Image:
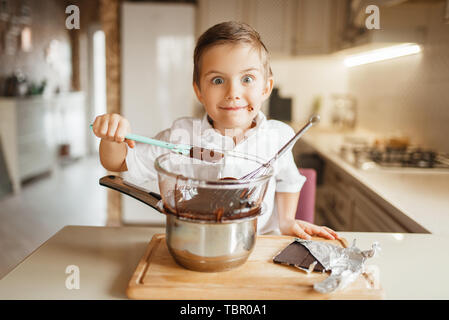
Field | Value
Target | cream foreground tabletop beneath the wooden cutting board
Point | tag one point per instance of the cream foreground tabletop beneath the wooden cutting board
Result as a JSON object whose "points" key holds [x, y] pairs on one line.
{"points": [[108, 256]]}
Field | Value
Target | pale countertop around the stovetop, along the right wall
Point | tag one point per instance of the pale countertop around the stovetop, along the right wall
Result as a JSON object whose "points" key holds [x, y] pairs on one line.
{"points": [[420, 194]]}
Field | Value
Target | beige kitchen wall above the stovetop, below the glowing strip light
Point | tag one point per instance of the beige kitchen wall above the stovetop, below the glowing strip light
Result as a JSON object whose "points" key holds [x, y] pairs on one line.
{"points": [[409, 95]]}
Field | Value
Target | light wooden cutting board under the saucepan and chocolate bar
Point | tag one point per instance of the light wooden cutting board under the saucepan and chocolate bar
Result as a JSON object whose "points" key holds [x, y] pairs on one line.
{"points": [[158, 276]]}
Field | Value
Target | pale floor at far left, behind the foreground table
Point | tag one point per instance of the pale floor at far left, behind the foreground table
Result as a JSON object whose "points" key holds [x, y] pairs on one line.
{"points": [[70, 195]]}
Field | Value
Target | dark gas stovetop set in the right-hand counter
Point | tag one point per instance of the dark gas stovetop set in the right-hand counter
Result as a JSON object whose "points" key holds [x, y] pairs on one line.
{"points": [[366, 157]]}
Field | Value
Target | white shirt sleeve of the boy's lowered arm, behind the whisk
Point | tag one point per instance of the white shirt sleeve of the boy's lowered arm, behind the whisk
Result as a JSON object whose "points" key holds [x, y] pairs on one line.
{"points": [[288, 178]]}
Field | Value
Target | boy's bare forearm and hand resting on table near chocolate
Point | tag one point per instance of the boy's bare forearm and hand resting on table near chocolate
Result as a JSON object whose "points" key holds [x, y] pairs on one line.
{"points": [[286, 204]]}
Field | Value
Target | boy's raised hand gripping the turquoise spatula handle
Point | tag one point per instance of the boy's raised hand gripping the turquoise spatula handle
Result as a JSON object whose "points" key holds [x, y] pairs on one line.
{"points": [[112, 127]]}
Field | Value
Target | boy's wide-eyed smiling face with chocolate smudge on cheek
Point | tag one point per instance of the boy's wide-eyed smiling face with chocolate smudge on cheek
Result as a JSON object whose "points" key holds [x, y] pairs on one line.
{"points": [[232, 85]]}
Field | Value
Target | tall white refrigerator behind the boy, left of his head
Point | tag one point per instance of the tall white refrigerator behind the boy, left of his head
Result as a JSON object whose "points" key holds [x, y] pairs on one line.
{"points": [[157, 43]]}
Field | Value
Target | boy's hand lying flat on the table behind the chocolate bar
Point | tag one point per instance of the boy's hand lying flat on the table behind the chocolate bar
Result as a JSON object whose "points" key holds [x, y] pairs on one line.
{"points": [[305, 230]]}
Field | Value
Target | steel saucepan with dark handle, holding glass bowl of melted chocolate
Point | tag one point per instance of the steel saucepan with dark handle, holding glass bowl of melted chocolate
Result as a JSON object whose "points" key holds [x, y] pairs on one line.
{"points": [[216, 236]]}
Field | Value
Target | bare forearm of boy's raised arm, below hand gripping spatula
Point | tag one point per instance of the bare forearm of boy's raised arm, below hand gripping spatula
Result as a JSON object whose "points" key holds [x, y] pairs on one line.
{"points": [[113, 155]]}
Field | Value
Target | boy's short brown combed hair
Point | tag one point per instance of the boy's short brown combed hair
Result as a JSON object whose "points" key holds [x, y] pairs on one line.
{"points": [[229, 32]]}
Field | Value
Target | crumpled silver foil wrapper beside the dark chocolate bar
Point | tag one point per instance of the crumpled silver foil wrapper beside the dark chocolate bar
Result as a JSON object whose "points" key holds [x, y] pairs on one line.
{"points": [[345, 264]]}
